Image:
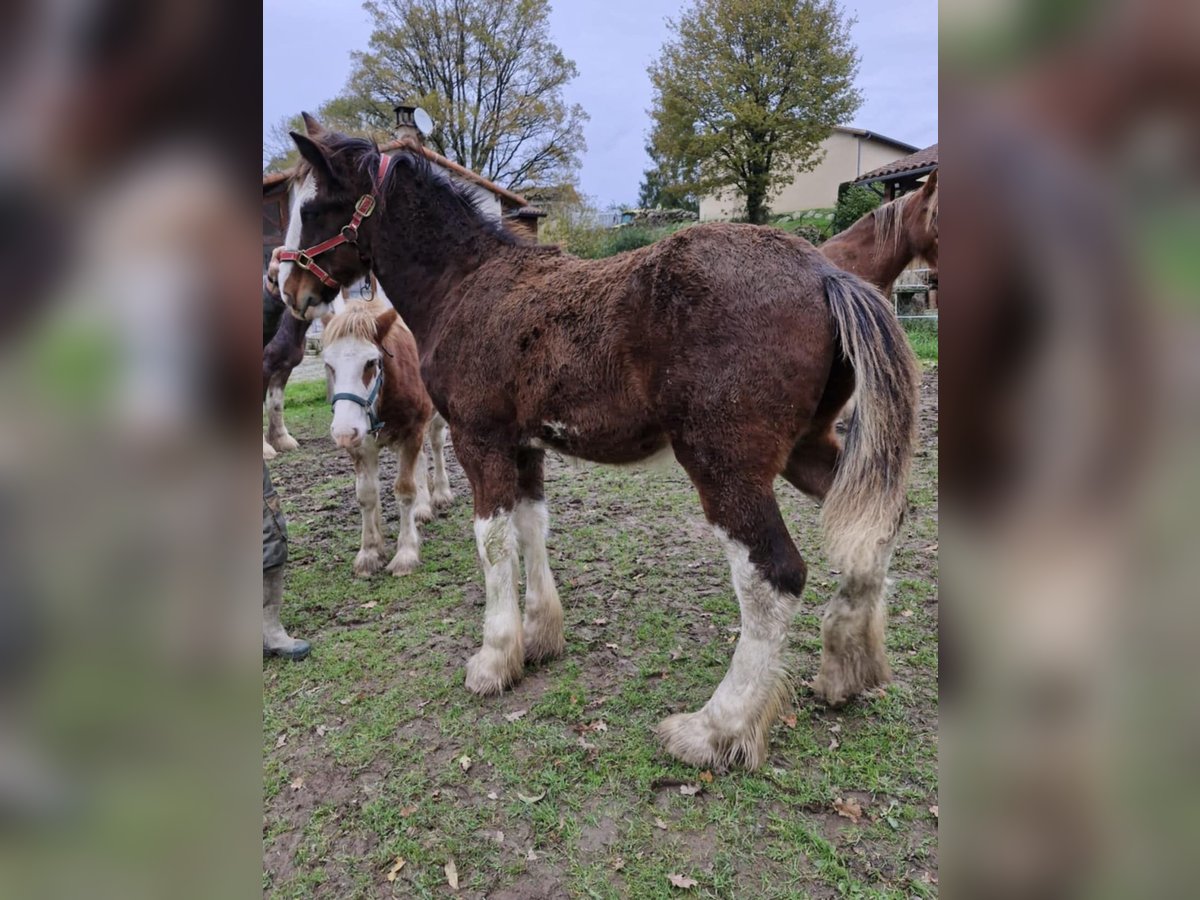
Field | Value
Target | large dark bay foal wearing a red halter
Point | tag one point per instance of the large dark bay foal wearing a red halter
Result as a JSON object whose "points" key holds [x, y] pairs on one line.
{"points": [[731, 346]]}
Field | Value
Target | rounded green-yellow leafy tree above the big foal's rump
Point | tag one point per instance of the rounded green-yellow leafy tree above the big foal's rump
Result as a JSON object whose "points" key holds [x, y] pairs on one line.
{"points": [[746, 92]]}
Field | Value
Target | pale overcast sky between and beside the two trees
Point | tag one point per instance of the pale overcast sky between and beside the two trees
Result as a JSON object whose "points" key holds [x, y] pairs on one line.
{"points": [[308, 44]]}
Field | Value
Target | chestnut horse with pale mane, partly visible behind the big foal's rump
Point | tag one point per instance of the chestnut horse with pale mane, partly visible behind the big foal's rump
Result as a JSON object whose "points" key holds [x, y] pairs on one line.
{"points": [[881, 244]]}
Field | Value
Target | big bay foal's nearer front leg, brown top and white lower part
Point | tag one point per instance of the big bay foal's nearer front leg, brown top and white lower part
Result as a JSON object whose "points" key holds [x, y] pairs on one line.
{"points": [[500, 663]]}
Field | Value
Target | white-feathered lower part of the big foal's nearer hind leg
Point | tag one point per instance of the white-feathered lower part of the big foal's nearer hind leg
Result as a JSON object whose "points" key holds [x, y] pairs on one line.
{"points": [[733, 728]]}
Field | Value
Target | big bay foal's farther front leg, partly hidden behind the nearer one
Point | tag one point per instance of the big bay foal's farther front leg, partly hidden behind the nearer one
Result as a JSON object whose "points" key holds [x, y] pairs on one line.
{"points": [[544, 611]]}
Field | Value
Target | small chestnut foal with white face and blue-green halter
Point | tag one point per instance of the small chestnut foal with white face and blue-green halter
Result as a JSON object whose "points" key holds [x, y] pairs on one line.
{"points": [[375, 386]]}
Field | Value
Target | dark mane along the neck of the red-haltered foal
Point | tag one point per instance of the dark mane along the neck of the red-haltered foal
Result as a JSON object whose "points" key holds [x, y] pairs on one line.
{"points": [[454, 200]]}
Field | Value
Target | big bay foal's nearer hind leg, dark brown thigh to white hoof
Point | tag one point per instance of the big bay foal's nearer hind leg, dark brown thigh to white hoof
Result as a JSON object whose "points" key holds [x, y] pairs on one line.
{"points": [[769, 577]]}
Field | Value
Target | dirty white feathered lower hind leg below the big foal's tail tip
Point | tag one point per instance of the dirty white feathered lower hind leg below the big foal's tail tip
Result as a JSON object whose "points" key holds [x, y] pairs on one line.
{"points": [[854, 657]]}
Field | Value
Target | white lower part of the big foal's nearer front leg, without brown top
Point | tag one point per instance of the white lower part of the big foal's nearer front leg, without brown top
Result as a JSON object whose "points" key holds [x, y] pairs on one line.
{"points": [[501, 661]]}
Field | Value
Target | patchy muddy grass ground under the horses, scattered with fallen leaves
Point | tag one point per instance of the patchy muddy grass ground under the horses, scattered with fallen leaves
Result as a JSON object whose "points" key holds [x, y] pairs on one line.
{"points": [[364, 743]]}
